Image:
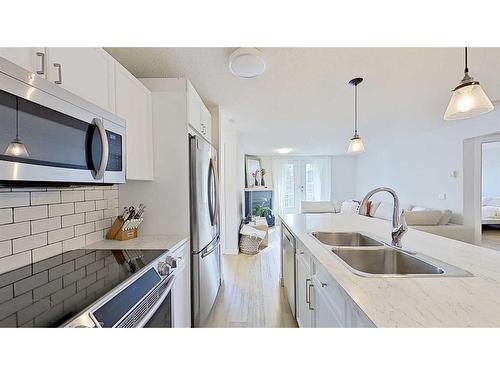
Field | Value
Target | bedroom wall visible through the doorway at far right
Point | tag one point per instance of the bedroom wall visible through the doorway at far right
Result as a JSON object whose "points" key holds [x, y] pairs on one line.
{"points": [[491, 170]]}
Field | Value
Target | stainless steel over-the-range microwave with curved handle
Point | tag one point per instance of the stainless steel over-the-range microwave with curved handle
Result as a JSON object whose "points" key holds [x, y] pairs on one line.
{"points": [[50, 136]]}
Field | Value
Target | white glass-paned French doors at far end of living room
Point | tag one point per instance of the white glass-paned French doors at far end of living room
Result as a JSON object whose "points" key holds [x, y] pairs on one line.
{"points": [[303, 181]]}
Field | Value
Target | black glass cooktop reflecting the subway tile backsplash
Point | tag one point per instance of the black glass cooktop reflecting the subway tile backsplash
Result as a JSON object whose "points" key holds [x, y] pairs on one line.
{"points": [[49, 292]]}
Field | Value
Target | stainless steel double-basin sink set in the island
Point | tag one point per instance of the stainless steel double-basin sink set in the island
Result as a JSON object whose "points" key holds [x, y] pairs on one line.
{"points": [[366, 256]]}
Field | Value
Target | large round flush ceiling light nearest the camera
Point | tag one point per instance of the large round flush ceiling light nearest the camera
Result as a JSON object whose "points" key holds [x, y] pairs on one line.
{"points": [[247, 63]]}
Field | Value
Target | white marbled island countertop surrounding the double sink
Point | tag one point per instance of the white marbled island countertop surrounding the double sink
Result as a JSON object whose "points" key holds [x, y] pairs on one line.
{"points": [[413, 301]]}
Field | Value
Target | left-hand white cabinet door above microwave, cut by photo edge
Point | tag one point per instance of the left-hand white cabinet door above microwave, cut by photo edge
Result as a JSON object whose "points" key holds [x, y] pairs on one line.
{"points": [[31, 59]]}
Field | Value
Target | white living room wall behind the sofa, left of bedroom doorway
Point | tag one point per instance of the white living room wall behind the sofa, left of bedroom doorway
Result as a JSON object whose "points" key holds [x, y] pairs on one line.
{"points": [[419, 167]]}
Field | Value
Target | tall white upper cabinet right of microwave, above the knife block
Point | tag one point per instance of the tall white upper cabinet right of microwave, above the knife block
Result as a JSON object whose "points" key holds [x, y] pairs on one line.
{"points": [[133, 103]]}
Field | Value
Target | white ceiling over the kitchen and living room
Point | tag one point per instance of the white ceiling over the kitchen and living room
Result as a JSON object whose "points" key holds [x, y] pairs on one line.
{"points": [[303, 100]]}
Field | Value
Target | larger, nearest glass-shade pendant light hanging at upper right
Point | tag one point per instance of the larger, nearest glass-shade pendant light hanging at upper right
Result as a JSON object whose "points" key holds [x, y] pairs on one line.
{"points": [[468, 99]]}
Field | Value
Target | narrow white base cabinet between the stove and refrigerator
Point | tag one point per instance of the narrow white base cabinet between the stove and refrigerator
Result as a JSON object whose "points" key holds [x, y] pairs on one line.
{"points": [[182, 292]]}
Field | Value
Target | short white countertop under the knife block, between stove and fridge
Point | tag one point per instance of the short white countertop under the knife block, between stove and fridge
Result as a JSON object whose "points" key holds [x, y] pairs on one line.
{"points": [[153, 242]]}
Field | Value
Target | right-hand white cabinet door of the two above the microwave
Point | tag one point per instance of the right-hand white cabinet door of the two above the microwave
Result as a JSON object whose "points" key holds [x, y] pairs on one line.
{"points": [[87, 72]]}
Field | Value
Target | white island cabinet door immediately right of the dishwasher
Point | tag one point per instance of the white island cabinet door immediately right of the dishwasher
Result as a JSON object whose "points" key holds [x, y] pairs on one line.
{"points": [[304, 310]]}
